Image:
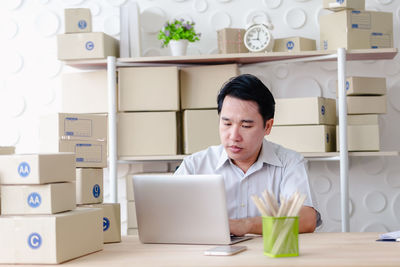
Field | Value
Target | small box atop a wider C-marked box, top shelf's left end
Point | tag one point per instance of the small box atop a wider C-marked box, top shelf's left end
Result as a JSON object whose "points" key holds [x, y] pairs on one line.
{"points": [[79, 36]]}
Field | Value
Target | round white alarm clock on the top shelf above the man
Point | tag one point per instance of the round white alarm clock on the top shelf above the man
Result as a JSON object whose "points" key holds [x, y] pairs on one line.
{"points": [[258, 38]]}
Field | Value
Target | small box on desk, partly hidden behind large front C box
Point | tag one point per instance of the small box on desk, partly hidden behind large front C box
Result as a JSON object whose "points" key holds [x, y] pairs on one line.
{"points": [[111, 221]]}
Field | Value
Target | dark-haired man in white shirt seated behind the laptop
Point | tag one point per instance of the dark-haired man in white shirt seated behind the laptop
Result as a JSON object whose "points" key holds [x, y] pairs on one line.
{"points": [[249, 163]]}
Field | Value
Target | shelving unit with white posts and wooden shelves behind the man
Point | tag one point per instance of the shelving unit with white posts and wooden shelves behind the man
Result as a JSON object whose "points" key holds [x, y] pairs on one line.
{"points": [[341, 56]]}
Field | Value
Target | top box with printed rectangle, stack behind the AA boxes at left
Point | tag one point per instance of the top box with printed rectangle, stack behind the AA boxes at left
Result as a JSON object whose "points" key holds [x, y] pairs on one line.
{"points": [[68, 126]]}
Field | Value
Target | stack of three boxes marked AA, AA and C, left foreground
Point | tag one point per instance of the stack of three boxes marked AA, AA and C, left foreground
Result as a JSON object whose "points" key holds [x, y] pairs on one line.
{"points": [[39, 222]]}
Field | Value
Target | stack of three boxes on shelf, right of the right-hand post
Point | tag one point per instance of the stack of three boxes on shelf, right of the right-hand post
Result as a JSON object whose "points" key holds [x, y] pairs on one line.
{"points": [[366, 98]]}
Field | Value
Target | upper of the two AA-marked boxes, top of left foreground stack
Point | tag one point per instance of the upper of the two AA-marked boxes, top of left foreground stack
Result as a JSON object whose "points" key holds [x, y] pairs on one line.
{"points": [[37, 168]]}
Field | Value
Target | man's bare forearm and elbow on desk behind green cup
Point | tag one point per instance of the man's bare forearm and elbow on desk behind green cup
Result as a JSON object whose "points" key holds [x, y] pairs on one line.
{"points": [[240, 227]]}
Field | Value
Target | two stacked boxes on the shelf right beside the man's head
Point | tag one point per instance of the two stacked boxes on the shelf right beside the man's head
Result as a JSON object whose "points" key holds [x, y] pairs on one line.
{"points": [[305, 124]]}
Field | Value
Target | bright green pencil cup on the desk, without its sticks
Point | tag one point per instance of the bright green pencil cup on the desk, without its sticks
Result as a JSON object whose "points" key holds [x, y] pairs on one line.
{"points": [[281, 236]]}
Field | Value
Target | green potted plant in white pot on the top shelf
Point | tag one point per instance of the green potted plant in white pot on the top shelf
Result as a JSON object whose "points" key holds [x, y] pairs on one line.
{"points": [[177, 34]]}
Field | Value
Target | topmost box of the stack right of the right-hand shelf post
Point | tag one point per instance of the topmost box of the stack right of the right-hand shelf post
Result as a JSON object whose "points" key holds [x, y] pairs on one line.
{"points": [[365, 86]]}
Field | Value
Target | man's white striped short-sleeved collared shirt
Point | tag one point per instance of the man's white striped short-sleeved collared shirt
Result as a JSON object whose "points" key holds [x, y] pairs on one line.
{"points": [[277, 169]]}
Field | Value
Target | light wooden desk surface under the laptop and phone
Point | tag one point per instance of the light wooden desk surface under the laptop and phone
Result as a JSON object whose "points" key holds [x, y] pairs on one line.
{"points": [[318, 249]]}
